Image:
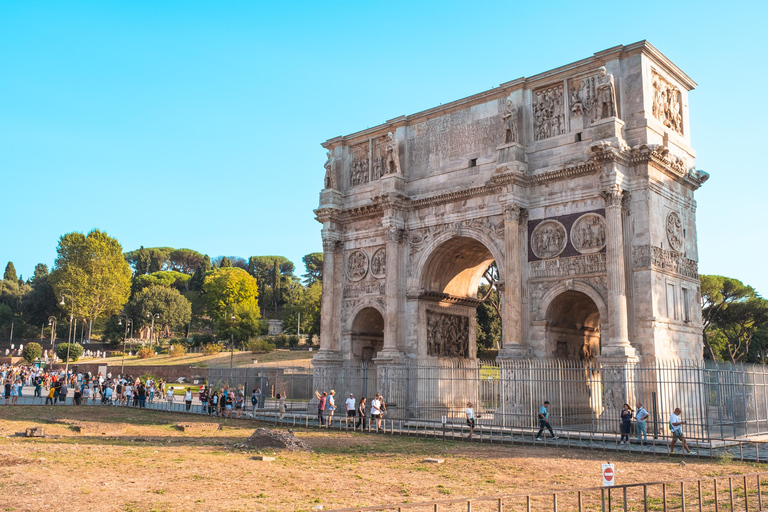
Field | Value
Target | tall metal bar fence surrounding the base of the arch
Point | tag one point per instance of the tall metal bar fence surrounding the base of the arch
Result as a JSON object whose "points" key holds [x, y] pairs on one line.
{"points": [[717, 400]]}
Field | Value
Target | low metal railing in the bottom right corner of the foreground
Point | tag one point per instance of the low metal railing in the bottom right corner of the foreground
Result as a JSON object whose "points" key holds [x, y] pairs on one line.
{"points": [[742, 492]]}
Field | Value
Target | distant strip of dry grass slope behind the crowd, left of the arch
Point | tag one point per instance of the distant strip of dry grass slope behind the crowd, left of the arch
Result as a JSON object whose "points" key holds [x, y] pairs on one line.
{"points": [[298, 357]]}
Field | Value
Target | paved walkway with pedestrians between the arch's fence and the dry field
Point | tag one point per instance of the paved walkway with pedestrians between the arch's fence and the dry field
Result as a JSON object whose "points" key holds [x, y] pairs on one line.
{"points": [[755, 451]]}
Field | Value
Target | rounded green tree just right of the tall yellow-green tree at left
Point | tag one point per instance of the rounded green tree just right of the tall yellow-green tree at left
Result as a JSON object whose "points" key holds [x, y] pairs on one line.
{"points": [[174, 309]]}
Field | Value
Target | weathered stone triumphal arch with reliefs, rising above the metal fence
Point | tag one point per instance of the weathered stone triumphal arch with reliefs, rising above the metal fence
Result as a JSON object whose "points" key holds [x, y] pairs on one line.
{"points": [[578, 183]]}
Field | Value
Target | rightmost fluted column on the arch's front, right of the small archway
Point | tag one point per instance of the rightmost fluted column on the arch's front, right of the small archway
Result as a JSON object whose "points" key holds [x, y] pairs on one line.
{"points": [[617, 344]]}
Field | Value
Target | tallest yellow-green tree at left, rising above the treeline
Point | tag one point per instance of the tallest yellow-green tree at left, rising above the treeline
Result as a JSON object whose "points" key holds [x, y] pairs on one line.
{"points": [[94, 269]]}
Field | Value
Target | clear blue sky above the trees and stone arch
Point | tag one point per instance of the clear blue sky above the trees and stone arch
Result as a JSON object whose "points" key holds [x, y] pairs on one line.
{"points": [[198, 124]]}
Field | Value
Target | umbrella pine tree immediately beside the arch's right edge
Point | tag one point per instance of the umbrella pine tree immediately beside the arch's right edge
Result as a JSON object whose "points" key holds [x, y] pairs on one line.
{"points": [[718, 293]]}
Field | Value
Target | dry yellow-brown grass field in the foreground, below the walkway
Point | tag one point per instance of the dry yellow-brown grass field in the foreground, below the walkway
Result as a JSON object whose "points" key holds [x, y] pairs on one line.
{"points": [[139, 462]]}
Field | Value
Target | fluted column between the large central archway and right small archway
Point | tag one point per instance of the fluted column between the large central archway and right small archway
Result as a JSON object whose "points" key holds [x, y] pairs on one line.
{"points": [[511, 291]]}
